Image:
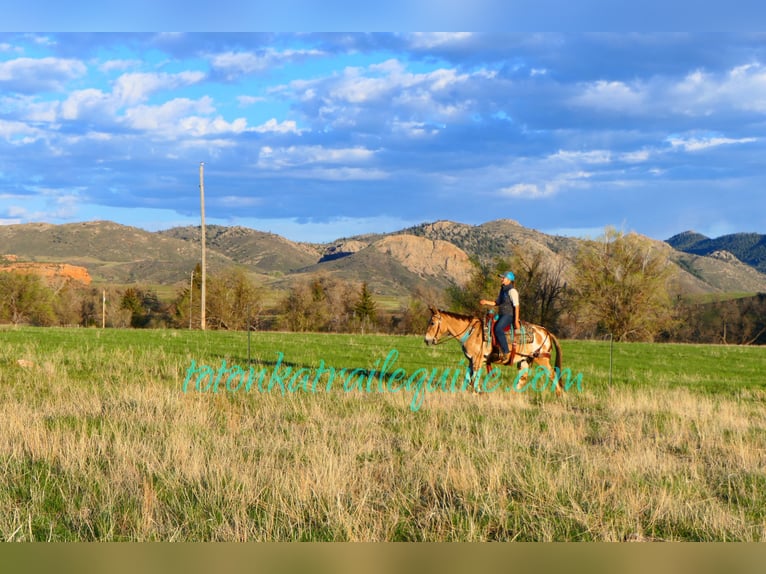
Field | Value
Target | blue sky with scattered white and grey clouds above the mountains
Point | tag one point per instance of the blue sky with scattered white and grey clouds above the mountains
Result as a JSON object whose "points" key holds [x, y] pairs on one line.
{"points": [[317, 136]]}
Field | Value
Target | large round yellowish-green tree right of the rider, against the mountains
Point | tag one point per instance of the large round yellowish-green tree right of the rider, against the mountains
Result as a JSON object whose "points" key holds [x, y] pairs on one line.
{"points": [[620, 286]]}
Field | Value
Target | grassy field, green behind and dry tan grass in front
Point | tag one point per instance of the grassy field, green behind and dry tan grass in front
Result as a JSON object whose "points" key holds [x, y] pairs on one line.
{"points": [[100, 441]]}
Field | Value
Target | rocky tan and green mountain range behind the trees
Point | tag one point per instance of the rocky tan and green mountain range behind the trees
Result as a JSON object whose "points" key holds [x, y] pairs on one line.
{"points": [[393, 264]]}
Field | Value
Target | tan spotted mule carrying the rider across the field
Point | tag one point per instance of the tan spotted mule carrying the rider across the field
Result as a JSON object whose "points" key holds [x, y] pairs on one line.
{"points": [[535, 349]]}
